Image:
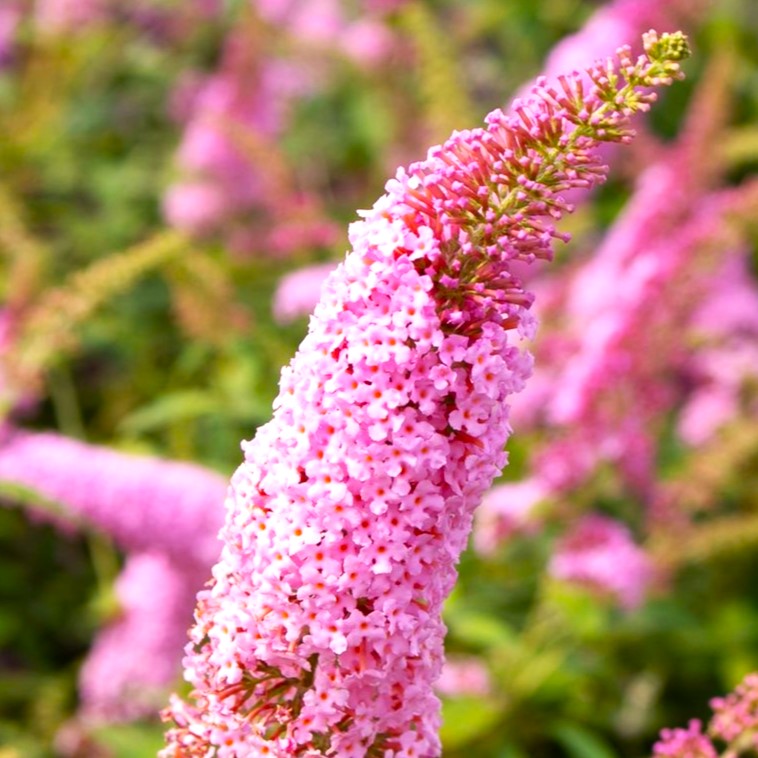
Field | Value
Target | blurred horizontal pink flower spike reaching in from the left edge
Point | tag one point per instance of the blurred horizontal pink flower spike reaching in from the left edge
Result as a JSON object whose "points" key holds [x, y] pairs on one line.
{"points": [[143, 503]]}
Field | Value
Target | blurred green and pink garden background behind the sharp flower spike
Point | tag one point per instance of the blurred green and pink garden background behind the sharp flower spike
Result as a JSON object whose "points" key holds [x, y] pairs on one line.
{"points": [[176, 178]]}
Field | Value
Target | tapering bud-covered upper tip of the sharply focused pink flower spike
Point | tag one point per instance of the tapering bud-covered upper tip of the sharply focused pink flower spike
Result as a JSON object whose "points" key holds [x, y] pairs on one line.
{"points": [[492, 196]]}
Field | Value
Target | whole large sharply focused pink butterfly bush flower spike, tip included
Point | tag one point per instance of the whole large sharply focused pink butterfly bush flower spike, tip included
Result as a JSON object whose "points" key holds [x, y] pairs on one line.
{"points": [[321, 633]]}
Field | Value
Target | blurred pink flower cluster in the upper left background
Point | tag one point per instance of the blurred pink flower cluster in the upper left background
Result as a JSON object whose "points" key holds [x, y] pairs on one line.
{"points": [[233, 180]]}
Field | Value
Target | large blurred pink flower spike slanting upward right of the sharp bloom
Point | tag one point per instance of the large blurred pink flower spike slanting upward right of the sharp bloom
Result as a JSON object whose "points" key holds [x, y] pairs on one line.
{"points": [[607, 344]]}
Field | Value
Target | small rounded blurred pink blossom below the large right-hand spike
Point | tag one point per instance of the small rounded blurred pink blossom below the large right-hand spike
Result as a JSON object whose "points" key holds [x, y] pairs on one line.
{"points": [[599, 553]]}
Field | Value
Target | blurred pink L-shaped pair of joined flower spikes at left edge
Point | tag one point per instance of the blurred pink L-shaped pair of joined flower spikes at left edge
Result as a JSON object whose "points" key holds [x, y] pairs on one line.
{"points": [[165, 516]]}
